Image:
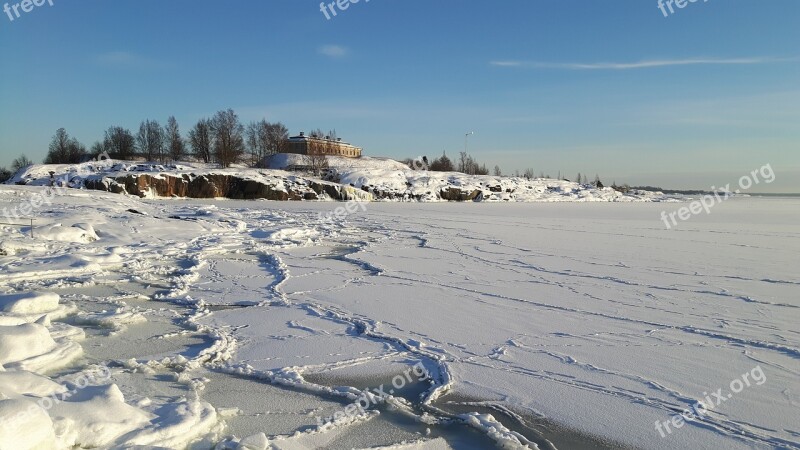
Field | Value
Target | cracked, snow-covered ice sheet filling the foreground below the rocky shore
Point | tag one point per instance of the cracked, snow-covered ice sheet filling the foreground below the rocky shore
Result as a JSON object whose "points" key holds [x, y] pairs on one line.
{"points": [[233, 324]]}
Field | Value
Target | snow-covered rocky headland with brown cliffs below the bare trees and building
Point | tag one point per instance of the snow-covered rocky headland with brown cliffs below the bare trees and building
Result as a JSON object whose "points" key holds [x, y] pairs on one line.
{"points": [[348, 183]]}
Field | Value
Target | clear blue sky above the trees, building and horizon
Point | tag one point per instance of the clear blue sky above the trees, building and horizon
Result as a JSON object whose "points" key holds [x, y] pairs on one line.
{"points": [[695, 99]]}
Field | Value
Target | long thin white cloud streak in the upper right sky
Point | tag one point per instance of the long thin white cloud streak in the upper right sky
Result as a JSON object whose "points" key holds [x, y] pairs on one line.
{"points": [[645, 64]]}
